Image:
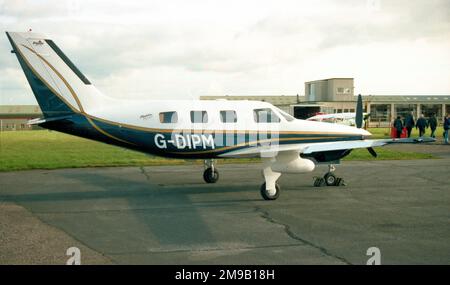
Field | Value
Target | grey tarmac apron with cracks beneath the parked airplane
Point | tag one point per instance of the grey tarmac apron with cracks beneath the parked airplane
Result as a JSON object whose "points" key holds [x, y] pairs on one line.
{"points": [[168, 215]]}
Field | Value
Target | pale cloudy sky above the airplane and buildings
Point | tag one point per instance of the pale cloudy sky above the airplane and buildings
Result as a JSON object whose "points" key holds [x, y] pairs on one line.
{"points": [[184, 49]]}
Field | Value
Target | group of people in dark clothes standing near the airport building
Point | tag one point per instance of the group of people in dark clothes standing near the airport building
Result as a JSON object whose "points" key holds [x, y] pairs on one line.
{"points": [[422, 124]]}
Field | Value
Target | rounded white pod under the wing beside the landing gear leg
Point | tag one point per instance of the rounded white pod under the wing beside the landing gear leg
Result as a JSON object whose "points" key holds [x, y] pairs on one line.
{"points": [[291, 162]]}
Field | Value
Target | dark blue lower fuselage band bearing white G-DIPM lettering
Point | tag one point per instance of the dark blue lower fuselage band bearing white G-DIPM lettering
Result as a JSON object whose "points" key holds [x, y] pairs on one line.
{"points": [[179, 144]]}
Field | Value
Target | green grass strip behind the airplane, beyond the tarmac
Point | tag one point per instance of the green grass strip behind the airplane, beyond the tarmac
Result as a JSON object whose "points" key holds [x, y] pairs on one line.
{"points": [[20, 150]]}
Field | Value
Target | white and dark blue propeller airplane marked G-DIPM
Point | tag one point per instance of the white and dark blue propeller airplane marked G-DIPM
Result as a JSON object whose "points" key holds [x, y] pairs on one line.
{"points": [[187, 129]]}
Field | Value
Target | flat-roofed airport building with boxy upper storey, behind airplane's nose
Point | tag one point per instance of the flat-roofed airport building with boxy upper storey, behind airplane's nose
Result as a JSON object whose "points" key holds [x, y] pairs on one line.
{"points": [[336, 95]]}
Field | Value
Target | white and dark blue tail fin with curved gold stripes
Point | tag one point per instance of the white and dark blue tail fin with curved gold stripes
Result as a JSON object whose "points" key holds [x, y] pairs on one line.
{"points": [[59, 87]]}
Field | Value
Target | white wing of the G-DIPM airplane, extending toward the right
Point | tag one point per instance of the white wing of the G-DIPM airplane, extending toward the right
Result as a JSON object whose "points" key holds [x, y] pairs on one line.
{"points": [[307, 148]]}
